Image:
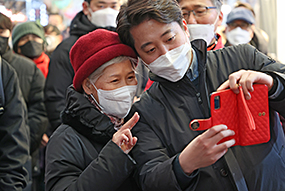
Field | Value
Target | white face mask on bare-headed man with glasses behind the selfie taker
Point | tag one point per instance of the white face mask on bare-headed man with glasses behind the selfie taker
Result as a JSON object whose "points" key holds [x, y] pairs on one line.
{"points": [[202, 31]]}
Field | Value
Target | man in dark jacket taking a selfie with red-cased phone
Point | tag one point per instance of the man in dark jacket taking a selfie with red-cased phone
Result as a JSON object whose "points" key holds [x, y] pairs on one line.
{"points": [[170, 155]]}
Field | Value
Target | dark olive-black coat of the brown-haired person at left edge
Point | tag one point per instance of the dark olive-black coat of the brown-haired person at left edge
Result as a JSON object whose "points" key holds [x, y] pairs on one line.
{"points": [[32, 84]]}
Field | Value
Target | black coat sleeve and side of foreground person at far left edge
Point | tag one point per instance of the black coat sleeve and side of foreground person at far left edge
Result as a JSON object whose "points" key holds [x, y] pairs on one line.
{"points": [[14, 134]]}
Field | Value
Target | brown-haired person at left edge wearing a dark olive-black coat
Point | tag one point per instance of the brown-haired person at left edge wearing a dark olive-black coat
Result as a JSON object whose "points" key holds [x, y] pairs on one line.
{"points": [[32, 84]]}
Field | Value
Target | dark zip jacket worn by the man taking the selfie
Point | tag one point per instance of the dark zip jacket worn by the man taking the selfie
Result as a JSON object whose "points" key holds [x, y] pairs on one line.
{"points": [[167, 108]]}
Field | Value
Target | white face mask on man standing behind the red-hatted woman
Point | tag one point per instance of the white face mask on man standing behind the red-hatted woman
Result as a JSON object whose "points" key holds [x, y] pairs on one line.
{"points": [[104, 17]]}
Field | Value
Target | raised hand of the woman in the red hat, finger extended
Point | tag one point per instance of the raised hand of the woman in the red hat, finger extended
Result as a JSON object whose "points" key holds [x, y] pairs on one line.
{"points": [[123, 137]]}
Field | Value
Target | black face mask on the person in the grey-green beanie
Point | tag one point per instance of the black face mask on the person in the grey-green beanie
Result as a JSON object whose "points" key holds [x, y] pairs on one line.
{"points": [[31, 49]]}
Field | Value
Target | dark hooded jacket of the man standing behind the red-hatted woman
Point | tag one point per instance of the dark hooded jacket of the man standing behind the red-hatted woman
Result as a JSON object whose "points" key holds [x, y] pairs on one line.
{"points": [[61, 73]]}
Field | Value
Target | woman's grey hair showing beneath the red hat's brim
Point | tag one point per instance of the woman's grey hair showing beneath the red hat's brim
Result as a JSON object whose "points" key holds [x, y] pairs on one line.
{"points": [[99, 71]]}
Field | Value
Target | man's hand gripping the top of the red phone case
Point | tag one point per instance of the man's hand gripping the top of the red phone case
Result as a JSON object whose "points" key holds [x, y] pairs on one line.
{"points": [[246, 78]]}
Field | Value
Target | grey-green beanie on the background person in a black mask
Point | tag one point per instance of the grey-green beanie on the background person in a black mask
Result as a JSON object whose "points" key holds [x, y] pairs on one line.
{"points": [[29, 27]]}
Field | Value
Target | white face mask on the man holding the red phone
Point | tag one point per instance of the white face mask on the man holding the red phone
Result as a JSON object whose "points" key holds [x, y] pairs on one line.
{"points": [[172, 65]]}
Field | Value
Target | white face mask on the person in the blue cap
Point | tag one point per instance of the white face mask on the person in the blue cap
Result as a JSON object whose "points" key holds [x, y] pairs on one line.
{"points": [[238, 36]]}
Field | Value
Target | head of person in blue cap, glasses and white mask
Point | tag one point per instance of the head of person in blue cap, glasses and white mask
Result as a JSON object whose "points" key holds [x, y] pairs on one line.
{"points": [[240, 26]]}
